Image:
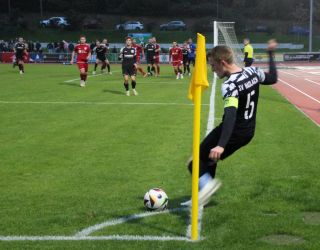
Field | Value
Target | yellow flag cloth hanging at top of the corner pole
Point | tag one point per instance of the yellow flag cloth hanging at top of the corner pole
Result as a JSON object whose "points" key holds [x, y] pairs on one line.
{"points": [[200, 74]]}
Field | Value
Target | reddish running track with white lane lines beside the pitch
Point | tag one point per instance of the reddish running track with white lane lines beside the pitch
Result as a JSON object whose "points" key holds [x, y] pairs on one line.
{"points": [[302, 88]]}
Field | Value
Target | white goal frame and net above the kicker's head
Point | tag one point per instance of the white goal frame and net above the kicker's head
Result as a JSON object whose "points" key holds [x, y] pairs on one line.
{"points": [[224, 34]]}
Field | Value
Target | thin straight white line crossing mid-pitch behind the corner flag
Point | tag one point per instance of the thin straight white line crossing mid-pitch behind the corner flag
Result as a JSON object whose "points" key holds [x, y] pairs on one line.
{"points": [[101, 103]]}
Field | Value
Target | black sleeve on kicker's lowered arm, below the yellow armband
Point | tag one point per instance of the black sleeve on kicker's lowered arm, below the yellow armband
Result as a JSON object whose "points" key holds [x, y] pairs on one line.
{"points": [[230, 115]]}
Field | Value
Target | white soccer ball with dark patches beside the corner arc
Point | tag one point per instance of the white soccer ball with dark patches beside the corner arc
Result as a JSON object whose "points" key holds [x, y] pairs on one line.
{"points": [[156, 199]]}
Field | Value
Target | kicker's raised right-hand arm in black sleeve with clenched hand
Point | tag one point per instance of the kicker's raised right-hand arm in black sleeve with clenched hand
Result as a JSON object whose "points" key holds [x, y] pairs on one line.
{"points": [[272, 76]]}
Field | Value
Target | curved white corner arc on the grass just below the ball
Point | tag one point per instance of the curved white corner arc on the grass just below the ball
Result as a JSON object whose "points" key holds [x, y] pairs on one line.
{"points": [[97, 227]]}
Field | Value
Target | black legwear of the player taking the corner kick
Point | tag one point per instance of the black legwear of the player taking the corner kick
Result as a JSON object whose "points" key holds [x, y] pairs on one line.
{"points": [[211, 141]]}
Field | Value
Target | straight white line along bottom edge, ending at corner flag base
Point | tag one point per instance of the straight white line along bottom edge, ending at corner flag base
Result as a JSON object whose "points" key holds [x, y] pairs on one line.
{"points": [[94, 238]]}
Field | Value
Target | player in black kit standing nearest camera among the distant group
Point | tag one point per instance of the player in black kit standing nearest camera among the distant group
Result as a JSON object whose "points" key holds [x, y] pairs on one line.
{"points": [[128, 54]]}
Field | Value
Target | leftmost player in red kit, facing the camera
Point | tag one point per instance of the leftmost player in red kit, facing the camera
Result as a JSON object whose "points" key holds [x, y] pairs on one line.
{"points": [[83, 52]]}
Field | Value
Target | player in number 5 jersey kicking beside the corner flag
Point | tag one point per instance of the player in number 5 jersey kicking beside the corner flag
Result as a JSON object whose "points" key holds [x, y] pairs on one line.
{"points": [[240, 92]]}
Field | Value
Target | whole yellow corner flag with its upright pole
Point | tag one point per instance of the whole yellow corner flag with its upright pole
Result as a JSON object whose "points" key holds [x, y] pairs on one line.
{"points": [[198, 83]]}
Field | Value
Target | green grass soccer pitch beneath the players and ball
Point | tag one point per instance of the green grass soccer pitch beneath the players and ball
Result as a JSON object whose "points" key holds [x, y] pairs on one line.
{"points": [[73, 157]]}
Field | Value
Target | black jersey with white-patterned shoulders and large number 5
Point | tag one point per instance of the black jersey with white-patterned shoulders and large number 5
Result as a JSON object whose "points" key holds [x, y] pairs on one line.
{"points": [[244, 86]]}
